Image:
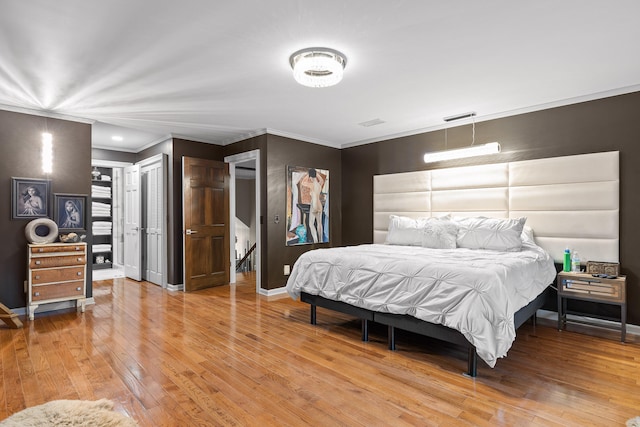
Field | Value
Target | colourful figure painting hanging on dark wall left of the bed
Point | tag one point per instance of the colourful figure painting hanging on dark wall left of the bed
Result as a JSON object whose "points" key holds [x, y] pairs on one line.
{"points": [[307, 206]]}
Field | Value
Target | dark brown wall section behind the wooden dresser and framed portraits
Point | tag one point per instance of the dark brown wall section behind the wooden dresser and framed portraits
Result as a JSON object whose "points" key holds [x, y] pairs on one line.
{"points": [[21, 141]]}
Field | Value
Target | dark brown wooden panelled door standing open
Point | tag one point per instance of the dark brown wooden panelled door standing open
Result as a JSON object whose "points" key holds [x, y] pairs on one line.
{"points": [[206, 223]]}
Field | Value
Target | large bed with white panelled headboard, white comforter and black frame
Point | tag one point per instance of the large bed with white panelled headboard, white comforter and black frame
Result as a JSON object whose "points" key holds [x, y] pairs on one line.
{"points": [[473, 296]]}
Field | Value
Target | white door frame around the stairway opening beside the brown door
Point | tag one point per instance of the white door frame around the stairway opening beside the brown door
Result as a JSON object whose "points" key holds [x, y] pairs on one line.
{"points": [[232, 160]]}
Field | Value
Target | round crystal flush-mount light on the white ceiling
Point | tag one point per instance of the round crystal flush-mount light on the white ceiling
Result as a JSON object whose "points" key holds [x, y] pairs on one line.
{"points": [[318, 66]]}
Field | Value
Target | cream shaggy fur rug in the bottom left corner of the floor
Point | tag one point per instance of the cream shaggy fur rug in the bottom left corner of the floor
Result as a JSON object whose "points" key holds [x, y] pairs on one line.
{"points": [[70, 413]]}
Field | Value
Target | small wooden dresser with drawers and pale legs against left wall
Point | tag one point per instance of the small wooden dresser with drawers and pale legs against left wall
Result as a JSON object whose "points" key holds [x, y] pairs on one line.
{"points": [[56, 272]]}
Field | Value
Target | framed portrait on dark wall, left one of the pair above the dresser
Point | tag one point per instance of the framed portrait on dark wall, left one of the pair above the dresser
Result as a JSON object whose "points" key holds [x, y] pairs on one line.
{"points": [[30, 198]]}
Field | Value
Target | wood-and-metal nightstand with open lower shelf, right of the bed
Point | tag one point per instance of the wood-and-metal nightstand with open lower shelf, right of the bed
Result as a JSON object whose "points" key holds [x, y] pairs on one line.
{"points": [[585, 287]]}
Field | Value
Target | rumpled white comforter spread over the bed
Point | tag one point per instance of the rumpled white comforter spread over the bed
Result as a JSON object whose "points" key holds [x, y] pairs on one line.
{"points": [[475, 291]]}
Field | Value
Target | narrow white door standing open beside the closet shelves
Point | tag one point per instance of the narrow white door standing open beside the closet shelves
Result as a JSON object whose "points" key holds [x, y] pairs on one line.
{"points": [[132, 217]]}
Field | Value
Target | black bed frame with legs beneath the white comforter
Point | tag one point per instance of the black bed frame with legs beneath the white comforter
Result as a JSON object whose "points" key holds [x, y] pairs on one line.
{"points": [[412, 324]]}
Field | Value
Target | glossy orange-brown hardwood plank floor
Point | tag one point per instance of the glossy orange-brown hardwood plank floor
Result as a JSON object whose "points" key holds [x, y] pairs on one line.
{"points": [[226, 356]]}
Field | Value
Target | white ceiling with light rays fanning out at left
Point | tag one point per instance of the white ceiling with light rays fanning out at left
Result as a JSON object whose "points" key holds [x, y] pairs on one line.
{"points": [[218, 71]]}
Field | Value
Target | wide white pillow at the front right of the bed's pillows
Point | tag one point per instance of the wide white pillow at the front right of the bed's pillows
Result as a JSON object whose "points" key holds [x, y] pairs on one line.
{"points": [[490, 233]]}
